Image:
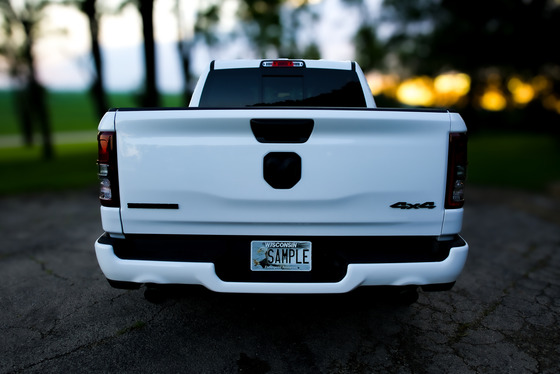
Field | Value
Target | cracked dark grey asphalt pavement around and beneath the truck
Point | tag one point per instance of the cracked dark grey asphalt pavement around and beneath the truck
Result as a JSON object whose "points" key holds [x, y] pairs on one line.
{"points": [[58, 314]]}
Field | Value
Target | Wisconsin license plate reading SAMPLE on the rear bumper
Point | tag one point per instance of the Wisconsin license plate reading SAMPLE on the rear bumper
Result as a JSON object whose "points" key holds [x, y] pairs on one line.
{"points": [[280, 255]]}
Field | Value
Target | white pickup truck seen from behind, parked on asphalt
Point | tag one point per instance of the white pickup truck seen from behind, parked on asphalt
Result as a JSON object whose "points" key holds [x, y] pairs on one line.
{"points": [[282, 177]]}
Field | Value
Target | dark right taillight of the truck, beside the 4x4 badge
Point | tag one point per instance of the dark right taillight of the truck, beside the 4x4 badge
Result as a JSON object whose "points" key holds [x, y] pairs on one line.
{"points": [[456, 171]]}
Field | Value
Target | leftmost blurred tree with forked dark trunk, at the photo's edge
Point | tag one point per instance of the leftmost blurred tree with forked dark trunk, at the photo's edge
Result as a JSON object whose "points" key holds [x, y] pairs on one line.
{"points": [[21, 24]]}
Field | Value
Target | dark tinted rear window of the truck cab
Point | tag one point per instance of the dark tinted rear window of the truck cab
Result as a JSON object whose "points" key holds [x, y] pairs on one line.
{"points": [[289, 87]]}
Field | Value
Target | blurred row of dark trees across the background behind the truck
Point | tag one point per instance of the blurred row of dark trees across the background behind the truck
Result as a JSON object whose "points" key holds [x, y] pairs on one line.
{"points": [[428, 37]]}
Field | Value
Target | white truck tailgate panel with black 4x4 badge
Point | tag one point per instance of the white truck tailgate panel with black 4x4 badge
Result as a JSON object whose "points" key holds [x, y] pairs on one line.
{"points": [[201, 171]]}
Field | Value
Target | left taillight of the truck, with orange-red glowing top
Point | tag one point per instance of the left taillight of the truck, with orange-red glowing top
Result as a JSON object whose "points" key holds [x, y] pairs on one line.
{"points": [[107, 169]]}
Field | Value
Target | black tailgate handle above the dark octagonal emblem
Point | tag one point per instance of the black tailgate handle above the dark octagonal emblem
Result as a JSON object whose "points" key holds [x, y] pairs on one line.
{"points": [[282, 130]]}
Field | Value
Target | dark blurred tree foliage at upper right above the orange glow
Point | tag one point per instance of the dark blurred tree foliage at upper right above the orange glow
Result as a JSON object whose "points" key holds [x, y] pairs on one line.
{"points": [[507, 34]]}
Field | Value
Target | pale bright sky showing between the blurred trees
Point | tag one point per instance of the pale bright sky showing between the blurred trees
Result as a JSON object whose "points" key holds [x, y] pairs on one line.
{"points": [[64, 60]]}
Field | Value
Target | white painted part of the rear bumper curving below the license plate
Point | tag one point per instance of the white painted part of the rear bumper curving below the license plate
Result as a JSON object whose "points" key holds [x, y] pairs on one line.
{"points": [[203, 273]]}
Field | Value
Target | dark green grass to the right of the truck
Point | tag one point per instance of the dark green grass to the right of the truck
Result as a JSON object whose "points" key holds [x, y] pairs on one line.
{"points": [[514, 160]]}
